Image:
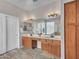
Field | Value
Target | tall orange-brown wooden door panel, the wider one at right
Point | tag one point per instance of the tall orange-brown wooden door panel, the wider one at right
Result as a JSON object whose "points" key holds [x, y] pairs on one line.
{"points": [[70, 30]]}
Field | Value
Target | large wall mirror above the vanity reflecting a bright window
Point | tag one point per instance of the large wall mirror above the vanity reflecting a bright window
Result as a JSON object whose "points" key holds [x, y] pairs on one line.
{"points": [[46, 26]]}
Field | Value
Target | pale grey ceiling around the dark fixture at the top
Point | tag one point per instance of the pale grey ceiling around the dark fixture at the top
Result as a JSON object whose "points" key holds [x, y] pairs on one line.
{"points": [[29, 5]]}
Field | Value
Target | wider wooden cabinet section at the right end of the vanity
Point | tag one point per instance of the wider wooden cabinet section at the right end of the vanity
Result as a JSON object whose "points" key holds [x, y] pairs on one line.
{"points": [[51, 46]]}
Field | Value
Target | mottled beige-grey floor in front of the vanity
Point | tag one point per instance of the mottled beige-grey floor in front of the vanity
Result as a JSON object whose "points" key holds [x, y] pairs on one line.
{"points": [[24, 53]]}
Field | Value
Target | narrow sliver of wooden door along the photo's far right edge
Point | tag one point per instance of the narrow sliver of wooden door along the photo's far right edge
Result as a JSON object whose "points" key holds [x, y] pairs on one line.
{"points": [[78, 29]]}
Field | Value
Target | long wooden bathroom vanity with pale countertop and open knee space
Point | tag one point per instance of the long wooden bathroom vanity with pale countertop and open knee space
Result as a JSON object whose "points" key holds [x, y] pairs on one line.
{"points": [[51, 46]]}
